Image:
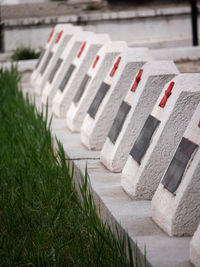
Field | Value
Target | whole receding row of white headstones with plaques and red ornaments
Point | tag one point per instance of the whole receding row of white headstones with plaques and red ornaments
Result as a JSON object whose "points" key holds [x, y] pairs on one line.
{"points": [[142, 114]]}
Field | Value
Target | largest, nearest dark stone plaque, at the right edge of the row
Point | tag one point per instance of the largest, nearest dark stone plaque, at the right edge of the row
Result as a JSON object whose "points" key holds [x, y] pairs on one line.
{"points": [[177, 167]]}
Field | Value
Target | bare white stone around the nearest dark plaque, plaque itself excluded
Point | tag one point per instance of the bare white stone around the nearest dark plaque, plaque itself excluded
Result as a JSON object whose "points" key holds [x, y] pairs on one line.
{"points": [[178, 213]]}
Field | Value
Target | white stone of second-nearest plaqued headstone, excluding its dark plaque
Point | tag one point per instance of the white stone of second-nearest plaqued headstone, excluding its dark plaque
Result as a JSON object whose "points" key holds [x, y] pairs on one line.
{"points": [[141, 180]]}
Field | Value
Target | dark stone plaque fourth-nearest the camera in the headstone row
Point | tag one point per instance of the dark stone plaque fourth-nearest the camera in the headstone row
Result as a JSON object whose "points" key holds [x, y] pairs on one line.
{"points": [[103, 89]]}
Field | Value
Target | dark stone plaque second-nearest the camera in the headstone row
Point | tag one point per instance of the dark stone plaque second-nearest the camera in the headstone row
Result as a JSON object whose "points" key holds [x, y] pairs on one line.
{"points": [[143, 141]]}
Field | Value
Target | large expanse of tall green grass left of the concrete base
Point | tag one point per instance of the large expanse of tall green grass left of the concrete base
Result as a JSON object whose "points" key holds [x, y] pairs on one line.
{"points": [[42, 220]]}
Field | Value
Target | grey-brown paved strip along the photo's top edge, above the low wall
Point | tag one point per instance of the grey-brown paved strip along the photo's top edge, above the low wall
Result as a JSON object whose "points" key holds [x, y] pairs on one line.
{"points": [[60, 8]]}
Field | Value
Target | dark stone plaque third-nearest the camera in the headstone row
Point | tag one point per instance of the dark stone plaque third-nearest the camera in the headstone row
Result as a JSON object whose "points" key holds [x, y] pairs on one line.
{"points": [[119, 121]]}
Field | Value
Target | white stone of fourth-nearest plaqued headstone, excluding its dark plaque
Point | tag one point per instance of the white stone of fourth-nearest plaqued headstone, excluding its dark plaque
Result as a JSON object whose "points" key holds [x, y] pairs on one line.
{"points": [[95, 130]]}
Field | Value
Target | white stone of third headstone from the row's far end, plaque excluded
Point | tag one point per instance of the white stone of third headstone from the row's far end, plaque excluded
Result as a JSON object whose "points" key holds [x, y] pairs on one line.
{"points": [[69, 54]]}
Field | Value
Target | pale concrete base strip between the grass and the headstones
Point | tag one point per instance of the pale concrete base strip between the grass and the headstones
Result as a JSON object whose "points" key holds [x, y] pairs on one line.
{"points": [[117, 208]]}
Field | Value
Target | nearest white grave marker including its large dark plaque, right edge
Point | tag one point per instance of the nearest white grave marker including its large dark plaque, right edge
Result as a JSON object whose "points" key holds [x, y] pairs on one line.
{"points": [[176, 203]]}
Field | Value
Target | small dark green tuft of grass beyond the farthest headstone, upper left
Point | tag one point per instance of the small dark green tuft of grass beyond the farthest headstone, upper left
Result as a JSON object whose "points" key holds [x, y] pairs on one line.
{"points": [[24, 53]]}
